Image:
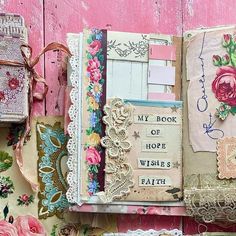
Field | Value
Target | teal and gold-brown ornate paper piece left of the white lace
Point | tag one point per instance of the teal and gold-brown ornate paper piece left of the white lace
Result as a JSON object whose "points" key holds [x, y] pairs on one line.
{"points": [[51, 144]]}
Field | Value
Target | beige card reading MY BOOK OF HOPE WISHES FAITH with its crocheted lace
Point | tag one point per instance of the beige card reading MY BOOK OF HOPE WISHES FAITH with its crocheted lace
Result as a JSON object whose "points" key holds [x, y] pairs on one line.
{"points": [[150, 148]]}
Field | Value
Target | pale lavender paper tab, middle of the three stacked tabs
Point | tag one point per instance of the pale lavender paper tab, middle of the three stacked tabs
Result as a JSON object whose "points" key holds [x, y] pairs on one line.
{"points": [[161, 75]]}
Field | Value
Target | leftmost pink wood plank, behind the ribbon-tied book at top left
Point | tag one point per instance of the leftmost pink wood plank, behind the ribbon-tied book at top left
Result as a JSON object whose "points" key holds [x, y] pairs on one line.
{"points": [[32, 11]]}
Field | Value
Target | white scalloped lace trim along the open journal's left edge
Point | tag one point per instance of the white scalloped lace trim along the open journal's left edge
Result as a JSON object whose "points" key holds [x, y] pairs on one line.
{"points": [[74, 127]]}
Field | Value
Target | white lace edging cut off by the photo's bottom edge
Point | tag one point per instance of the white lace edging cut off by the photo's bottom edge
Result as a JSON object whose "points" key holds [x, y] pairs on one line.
{"points": [[150, 232]]}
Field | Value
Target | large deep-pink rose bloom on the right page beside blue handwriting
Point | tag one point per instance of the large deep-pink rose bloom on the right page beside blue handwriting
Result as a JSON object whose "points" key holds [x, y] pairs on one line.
{"points": [[224, 85]]}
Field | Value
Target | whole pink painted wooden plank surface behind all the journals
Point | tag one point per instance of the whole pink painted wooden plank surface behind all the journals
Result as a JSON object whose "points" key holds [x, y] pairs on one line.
{"points": [[50, 20]]}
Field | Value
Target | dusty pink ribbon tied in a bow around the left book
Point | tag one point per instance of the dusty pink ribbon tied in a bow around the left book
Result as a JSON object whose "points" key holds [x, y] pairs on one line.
{"points": [[35, 78]]}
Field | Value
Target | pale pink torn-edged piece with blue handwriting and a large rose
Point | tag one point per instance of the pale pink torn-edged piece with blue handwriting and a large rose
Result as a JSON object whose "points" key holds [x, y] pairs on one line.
{"points": [[210, 110]]}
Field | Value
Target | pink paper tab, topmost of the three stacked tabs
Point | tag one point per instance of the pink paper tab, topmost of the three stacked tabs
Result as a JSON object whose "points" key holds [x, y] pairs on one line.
{"points": [[162, 52]]}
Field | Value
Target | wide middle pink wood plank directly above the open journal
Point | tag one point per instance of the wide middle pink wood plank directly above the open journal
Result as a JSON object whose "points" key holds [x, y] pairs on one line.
{"points": [[62, 17]]}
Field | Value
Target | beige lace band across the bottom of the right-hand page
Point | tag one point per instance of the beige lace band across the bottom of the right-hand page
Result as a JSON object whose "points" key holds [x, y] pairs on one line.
{"points": [[209, 199]]}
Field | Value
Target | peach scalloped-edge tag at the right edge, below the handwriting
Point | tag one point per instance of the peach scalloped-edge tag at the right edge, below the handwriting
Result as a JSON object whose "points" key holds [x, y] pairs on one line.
{"points": [[226, 157]]}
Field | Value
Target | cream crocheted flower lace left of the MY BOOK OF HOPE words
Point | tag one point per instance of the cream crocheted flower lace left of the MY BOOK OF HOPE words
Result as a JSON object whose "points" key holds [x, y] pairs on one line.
{"points": [[119, 179]]}
